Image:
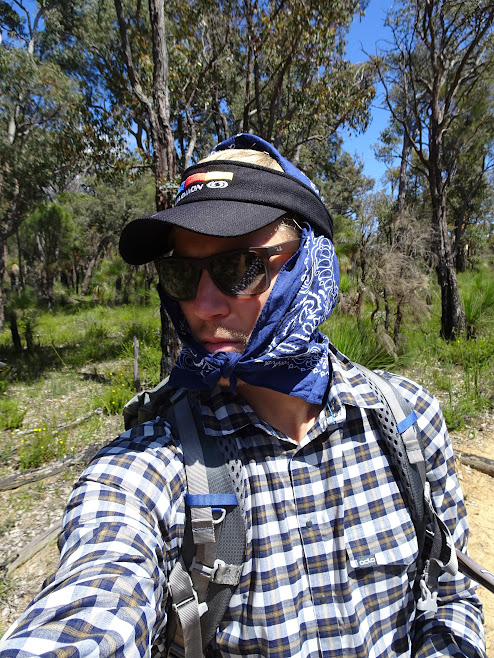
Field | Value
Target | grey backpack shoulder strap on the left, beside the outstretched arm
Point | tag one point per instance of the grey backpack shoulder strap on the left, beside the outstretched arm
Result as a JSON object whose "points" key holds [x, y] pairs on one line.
{"points": [[208, 571]]}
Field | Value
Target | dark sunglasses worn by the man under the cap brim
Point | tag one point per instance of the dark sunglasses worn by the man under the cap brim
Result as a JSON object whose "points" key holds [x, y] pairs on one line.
{"points": [[238, 273]]}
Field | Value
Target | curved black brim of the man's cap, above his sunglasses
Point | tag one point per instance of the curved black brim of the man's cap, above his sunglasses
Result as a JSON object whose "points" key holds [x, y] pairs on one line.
{"points": [[146, 238]]}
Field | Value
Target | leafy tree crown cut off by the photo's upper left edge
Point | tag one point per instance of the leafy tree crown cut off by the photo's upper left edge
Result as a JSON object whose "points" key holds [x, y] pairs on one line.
{"points": [[40, 140]]}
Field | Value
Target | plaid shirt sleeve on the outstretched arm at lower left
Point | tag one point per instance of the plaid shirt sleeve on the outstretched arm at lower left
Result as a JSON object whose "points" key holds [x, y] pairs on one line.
{"points": [[121, 533]]}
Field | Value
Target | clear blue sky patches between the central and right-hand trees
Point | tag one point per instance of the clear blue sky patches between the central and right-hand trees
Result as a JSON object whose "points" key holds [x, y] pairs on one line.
{"points": [[363, 35]]}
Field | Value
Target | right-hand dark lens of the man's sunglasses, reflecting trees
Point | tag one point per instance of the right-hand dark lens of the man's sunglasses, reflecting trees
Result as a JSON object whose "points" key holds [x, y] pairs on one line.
{"points": [[239, 273]]}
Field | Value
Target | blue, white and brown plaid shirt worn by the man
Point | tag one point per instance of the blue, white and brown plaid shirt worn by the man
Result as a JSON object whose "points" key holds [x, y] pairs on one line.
{"points": [[318, 514]]}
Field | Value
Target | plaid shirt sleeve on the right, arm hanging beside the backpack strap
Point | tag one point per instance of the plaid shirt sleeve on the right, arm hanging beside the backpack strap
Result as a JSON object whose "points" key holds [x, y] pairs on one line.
{"points": [[456, 629]]}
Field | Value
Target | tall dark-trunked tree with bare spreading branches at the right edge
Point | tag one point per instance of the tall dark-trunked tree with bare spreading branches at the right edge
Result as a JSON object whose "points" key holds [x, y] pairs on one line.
{"points": [[440, 52]]}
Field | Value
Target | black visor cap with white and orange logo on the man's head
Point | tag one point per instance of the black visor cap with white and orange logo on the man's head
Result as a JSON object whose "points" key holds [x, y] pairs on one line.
{"points": [[225, 198]]}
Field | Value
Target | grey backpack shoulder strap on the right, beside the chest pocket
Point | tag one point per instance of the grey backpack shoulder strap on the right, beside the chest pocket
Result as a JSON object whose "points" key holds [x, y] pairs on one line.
{"points": [[397, 423]]}
